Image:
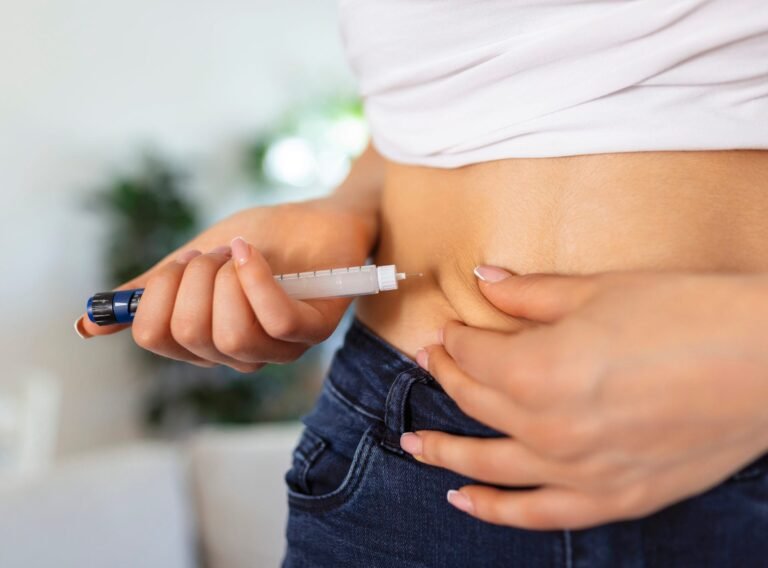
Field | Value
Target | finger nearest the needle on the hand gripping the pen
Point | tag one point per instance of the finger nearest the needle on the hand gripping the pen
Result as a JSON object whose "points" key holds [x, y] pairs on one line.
{"points": [[281, 316]]}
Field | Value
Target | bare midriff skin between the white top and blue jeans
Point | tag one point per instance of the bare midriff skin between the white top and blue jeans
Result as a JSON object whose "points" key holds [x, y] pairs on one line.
{"points": [[572, 215]]}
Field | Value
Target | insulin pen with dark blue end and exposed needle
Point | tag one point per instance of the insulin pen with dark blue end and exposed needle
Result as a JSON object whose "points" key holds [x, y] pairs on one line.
{"points": [[108, 308]]}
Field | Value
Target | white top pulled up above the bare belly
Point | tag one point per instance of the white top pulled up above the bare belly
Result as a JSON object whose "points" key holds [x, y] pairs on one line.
{"points": [[453, 82]]}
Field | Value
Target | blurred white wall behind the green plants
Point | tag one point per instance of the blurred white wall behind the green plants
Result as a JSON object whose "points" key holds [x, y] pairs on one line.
{"points": [[84, 85]]}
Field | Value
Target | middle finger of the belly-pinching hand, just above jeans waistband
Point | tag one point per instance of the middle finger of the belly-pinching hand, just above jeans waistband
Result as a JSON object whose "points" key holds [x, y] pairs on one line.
{"points": [[475, 399]]}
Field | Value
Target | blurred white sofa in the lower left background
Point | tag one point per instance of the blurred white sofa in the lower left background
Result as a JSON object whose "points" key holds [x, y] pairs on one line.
{"points": [[217, 501]]}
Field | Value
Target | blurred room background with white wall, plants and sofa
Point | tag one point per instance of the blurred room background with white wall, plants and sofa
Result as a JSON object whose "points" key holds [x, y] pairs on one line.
{"points": [[124, 129]]}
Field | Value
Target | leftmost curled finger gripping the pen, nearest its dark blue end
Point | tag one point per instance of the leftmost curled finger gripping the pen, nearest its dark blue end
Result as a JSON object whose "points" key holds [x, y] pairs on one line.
{"points": [[152, 323]]}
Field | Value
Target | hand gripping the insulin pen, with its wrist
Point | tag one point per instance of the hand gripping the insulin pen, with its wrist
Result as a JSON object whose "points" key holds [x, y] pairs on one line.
{"points": [[203, 306]]}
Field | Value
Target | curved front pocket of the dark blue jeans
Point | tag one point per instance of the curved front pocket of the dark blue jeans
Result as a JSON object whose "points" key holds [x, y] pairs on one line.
{"points": [[321, 478]]}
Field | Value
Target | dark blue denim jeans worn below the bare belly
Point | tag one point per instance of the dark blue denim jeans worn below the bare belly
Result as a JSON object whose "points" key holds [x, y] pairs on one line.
{"points": [[356, 499]]}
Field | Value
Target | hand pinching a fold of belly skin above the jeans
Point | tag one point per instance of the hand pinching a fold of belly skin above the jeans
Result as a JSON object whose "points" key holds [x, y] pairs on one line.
{"points": [[630, 392]]}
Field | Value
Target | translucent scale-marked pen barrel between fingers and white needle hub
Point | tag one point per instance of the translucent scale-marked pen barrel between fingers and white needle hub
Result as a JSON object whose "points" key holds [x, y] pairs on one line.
{"points": [[335, 283]]}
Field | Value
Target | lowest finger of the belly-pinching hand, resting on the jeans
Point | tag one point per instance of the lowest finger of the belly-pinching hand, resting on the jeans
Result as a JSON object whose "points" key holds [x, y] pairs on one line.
{"points": [[548, 508]]}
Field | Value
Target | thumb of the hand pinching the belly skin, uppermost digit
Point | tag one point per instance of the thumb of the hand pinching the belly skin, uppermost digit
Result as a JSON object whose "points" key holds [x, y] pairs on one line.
{"points": [[538, 297]]}
